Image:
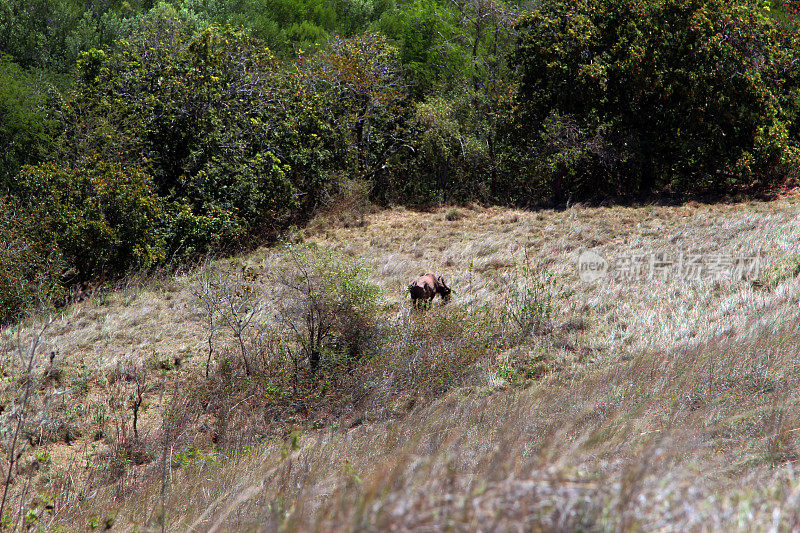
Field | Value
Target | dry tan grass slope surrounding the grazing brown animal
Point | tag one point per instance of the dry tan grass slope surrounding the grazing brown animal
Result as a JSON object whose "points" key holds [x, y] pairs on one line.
{"points": [[641, 404]]}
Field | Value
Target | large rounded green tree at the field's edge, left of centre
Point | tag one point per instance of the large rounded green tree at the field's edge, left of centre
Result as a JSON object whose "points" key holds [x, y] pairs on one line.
{"points": [[207, 114]]}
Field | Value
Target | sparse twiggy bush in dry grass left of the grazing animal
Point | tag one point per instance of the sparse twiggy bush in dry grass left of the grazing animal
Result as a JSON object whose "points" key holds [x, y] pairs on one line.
{"points": [[308, 352]]}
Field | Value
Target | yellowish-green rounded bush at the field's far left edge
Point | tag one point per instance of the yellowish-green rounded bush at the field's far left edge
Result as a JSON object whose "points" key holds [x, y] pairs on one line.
{"points": [[101, 216]]}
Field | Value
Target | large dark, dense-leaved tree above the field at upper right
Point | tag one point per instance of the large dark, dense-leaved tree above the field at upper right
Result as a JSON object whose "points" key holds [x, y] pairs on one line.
{"points": [[673, 94]]}
